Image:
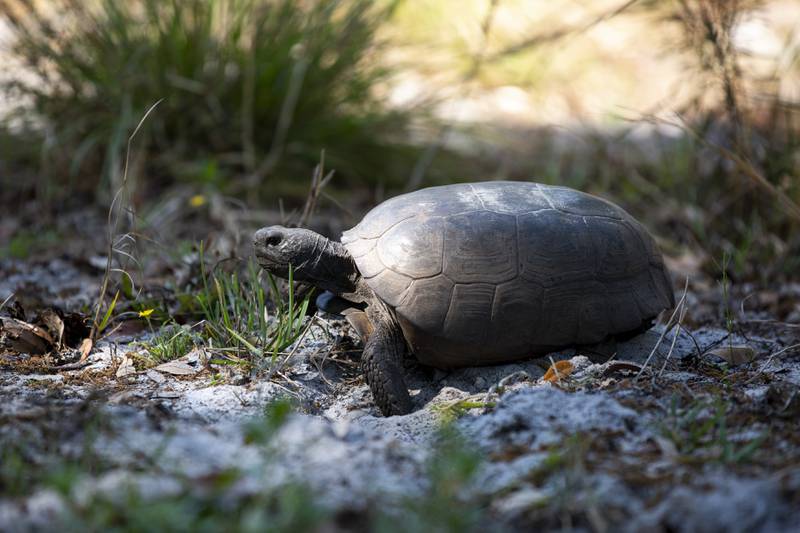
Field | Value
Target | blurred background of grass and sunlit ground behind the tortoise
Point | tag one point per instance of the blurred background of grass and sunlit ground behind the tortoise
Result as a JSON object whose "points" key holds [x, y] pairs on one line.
{"points": [[686, 112]]}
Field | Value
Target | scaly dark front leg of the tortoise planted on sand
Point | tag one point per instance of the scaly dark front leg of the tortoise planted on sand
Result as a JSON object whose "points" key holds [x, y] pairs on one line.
{"points": [[382, 363]]}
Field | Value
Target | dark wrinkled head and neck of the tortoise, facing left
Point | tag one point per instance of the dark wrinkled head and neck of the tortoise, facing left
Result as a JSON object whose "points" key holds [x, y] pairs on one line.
{"points": [[313, 258]]}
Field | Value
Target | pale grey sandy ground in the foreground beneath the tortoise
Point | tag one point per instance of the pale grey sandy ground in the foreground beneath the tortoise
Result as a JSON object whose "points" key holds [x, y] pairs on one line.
{"points": [[624, 448]]}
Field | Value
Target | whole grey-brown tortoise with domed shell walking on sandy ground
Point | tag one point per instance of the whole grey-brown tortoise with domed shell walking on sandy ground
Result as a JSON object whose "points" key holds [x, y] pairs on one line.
{"points": [[478, 274]]}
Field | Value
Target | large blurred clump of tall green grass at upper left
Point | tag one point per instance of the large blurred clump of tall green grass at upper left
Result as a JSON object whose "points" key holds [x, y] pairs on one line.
{"points": [[253, 91]]}
